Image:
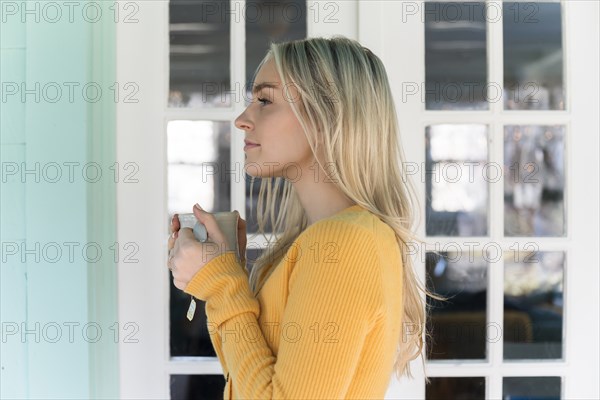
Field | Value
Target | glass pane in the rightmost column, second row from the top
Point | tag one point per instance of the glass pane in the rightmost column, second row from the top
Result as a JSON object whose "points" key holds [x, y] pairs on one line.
{"points": [[534, 181]]}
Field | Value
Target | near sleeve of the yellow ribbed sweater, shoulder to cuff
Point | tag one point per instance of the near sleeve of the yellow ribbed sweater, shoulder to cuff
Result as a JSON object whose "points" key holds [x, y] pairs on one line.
{"points": [[334, 298]]}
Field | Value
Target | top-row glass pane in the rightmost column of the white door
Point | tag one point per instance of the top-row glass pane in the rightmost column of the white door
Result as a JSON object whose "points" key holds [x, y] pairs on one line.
{"points": [[533, 57]]}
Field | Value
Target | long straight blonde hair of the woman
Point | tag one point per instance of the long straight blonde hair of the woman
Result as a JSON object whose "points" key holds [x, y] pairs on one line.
{"points": [[344, 103]]}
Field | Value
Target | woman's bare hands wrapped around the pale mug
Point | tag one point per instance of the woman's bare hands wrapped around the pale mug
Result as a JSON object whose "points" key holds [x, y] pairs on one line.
{"points": [[187, 255]]}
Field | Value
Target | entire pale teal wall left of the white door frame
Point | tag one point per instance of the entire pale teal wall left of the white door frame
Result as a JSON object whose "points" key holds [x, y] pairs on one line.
{"points": [[60, 297]]}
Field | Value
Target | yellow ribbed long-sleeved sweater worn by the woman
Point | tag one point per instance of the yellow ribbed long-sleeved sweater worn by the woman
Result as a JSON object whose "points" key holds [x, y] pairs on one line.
{"points": [[325, 324]]}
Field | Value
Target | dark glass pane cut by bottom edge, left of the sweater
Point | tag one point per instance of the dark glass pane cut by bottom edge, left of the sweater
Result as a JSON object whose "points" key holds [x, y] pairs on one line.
{"points": [[205, 387]]}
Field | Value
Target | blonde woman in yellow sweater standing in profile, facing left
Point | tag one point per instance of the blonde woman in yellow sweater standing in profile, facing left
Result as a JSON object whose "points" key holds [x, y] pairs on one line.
{"points": [[333, 307]]}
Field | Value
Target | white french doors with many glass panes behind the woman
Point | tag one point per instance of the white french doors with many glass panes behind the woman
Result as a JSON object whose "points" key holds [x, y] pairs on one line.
{"points": [[498, 117]]}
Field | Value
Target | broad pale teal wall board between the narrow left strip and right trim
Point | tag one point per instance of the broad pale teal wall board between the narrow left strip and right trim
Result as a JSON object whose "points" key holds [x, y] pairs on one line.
{"points": [[56, 134]]}
